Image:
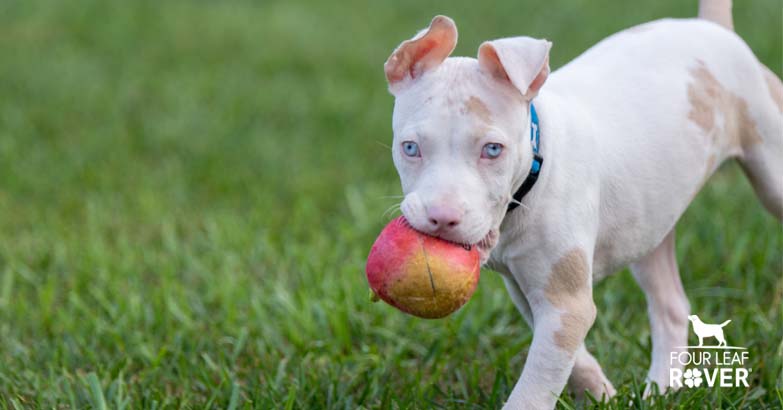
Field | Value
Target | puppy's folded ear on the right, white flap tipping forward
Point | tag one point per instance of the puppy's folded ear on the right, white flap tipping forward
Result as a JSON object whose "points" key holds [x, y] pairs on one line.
{"points": [[523, 61]]}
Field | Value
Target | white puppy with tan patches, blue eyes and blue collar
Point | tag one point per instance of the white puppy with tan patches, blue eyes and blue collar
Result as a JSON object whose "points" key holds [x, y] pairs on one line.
{"points": [[628, 132]]}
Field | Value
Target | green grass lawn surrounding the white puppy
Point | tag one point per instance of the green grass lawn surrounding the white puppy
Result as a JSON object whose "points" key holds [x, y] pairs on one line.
{"points": [[188, 191]]}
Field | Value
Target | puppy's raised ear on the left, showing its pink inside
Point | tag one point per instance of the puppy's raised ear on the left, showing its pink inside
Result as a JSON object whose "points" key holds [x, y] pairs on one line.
{"points": [[423, 52]]}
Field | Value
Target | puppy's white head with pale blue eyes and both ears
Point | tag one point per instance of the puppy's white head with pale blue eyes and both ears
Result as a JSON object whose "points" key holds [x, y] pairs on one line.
{"points": [[461, 129]]}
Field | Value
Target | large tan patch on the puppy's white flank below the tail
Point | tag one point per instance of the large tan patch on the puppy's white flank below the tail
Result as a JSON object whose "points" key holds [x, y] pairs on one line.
{"points": [[709, 99]]}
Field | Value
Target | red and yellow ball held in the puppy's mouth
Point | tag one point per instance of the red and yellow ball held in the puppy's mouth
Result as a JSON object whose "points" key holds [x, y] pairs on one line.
{"points": [[420, 274]]}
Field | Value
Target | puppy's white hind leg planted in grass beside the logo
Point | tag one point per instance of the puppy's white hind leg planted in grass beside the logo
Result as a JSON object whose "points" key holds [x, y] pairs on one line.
{"points": [[667, 306]]}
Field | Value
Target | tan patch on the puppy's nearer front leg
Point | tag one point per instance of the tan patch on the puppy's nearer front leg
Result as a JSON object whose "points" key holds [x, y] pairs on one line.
{"points": [[569, 290]]}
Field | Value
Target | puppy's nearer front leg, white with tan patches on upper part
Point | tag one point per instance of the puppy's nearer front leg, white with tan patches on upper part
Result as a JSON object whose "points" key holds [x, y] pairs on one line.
{"points": [[563, 311]]}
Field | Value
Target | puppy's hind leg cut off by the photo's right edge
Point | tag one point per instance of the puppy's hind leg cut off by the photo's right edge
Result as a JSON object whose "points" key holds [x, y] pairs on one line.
{"points": [[762, 156]]}
